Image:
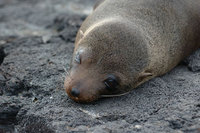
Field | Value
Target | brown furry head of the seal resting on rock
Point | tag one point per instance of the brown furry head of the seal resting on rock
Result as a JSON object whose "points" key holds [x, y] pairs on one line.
{"points": [[103, 64]]}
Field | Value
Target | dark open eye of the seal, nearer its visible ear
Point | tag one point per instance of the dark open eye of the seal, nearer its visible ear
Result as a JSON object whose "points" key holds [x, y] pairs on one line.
{"points": [[111, 83]]}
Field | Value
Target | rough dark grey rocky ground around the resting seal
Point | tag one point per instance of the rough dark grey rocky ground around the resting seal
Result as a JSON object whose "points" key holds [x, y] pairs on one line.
{"points": [[36, 44]]}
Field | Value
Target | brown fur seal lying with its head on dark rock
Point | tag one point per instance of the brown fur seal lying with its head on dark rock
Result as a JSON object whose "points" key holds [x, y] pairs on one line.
{"points": [[125, 43]]}
